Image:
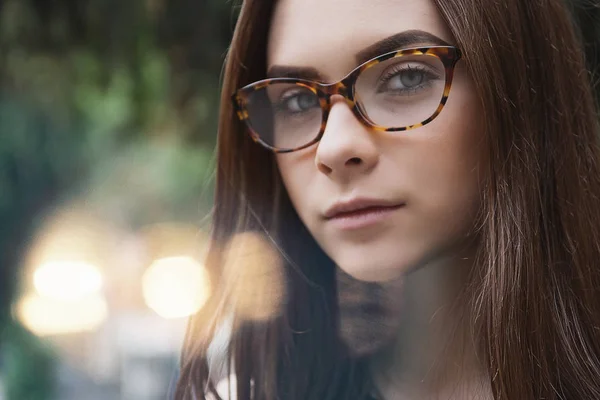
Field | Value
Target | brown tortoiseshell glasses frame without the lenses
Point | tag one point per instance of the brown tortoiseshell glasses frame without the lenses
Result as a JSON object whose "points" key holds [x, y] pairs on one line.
{"points": [[448, 55]]}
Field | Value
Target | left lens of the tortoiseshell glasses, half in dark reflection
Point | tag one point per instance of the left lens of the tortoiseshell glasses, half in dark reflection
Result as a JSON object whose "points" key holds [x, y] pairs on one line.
{"points": [[285, 115]]}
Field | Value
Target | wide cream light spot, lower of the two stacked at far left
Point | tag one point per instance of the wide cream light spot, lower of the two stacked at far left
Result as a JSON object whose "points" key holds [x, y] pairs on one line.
{"points": [[50, 316]]}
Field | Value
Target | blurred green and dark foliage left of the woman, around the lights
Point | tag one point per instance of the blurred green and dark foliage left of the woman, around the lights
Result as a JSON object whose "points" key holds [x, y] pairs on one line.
{"points": [[82, 82]]}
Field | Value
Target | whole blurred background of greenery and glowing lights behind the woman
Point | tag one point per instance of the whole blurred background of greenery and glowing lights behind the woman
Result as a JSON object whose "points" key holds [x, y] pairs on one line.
{"points": [[108, 112]]}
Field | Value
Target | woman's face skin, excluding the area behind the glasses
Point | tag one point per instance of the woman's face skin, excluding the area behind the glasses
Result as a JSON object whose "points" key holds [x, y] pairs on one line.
{"points": [[410, 197]]}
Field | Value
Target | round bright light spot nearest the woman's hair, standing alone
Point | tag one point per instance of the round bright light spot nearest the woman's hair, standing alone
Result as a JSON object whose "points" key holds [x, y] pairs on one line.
{"points": [[176, 287]]}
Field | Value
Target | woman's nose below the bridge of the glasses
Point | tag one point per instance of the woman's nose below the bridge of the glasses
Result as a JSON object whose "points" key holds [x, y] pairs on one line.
{"points": [[347, 147]]}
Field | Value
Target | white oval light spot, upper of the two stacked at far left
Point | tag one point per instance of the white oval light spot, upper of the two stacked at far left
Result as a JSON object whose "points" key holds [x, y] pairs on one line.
{"points": [[67, 280]]}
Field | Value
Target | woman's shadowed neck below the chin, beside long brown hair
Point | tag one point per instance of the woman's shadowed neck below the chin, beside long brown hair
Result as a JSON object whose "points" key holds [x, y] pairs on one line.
{"points": [[433, 355]]}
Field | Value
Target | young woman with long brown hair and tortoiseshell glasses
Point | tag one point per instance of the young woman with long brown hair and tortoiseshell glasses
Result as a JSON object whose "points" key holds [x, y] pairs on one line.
{"points": [[428, 171]]}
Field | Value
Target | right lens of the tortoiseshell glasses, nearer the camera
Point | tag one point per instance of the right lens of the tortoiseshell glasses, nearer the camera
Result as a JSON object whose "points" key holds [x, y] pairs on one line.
{"points": [[401, 91]]}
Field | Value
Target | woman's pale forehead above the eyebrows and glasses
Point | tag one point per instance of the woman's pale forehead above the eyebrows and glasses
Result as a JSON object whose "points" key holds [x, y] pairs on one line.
{"points": [[326, 34]]}
